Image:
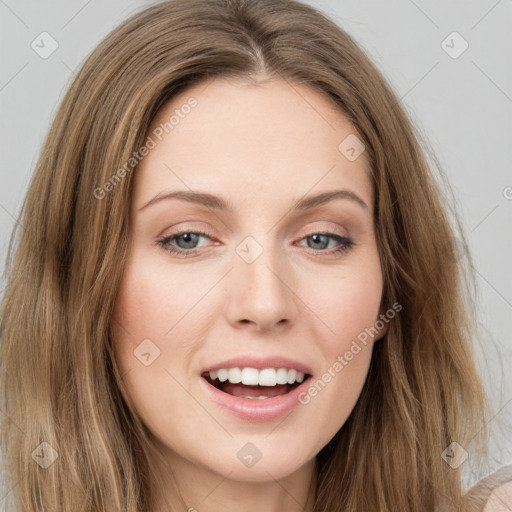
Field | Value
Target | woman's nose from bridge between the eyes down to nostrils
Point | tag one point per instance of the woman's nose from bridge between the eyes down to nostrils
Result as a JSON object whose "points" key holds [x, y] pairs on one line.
{"points": [[259, 292]]}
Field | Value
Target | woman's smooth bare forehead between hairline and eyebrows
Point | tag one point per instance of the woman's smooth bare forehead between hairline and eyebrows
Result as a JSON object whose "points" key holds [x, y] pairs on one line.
{"points": [[236, 138]]}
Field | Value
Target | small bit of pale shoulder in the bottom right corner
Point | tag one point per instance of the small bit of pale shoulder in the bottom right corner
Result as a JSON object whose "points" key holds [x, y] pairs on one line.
{"points": [[493, 493]]}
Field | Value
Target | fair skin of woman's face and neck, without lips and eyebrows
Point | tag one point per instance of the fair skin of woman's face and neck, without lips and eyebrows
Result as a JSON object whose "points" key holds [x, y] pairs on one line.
{"points": [[262, 148]]}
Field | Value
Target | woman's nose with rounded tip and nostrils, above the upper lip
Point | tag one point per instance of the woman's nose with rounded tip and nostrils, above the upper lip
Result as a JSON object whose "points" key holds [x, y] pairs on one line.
{"points": [[260, 294]]}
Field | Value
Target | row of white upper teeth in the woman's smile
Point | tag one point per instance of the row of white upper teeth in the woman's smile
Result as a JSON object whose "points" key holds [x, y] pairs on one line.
{"points": [[254, 377]]}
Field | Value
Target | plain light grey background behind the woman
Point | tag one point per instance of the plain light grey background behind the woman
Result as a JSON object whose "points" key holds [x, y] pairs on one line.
{"points": [[462, 106]]}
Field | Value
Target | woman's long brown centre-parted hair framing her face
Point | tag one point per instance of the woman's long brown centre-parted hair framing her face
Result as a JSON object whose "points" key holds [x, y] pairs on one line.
{"points": [[59, 380]]}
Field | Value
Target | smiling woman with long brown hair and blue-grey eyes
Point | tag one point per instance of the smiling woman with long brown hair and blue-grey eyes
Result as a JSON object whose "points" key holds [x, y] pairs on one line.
{"points": [[320, 357]]}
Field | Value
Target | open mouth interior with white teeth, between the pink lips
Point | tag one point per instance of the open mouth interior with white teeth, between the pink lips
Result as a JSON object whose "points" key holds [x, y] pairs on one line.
{"points": [[253, 384]]}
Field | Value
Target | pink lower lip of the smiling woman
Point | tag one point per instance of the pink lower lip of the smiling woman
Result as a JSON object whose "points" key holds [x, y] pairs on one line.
{"points": [[267, 409]]}
